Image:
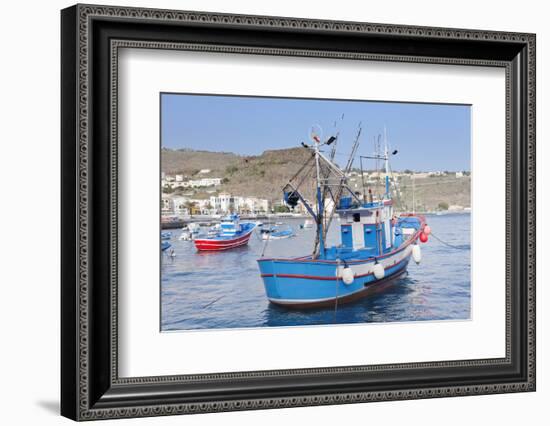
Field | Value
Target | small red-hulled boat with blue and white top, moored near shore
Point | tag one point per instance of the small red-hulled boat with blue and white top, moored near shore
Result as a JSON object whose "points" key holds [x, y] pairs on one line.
{"points": [[232, 234]]}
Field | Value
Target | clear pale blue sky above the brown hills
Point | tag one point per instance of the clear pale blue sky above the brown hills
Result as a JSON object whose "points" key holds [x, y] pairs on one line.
{"points": [[428, 136]]}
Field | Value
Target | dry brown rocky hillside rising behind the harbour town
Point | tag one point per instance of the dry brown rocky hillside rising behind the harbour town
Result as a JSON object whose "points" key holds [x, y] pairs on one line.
{"points": [[264, 176]]}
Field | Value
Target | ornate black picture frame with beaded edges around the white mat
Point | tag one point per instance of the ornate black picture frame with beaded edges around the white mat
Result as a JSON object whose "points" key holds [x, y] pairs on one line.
{"points": [[91, 36]]}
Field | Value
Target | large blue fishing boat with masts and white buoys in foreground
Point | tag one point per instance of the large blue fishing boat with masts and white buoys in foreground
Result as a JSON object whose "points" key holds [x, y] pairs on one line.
{"points": [[376, 246]]}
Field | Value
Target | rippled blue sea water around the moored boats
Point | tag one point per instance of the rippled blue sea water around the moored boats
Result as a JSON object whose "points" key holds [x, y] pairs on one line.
{"points": [[224, 289]]}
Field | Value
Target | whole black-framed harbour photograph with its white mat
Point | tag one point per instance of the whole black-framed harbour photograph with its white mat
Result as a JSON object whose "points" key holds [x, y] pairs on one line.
{"points": [[263, 212]]}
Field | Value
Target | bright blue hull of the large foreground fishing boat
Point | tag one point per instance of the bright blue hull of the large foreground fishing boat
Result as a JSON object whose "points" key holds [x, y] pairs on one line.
{"points": [[305, 283]]}
